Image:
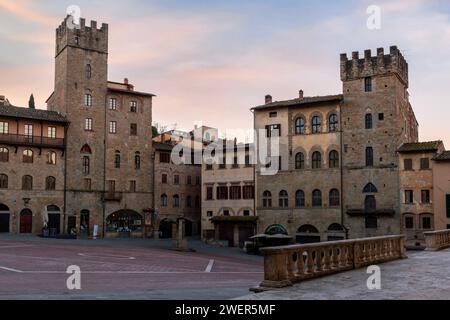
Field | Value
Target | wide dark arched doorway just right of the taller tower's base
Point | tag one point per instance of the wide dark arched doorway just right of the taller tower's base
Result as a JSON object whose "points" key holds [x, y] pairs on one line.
{"points": [[124, 221]]}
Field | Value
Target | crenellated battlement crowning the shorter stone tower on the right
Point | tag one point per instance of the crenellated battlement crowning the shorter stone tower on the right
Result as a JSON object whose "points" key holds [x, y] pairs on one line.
{"points": [[381, 64]]}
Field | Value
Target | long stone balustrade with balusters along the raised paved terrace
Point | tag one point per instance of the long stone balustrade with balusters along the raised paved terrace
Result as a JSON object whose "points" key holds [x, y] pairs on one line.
{"points": [[286, 265]]}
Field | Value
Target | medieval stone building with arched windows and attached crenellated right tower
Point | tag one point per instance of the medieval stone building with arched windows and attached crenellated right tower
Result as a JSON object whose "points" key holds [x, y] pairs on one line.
{"points": [[338, 166]]}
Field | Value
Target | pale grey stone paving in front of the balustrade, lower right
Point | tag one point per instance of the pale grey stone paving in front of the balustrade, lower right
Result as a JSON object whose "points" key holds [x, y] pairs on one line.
{"points": [[423, 276]]}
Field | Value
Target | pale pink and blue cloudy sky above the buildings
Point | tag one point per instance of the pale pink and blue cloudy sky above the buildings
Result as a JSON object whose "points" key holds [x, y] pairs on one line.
{"points": [[210, 61]]}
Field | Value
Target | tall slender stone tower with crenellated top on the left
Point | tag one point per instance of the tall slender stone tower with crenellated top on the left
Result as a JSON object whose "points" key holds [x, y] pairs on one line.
{"points": [[81, 74]]}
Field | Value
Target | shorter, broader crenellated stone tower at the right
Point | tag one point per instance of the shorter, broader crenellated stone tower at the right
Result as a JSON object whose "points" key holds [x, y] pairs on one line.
{"points": [[376, 118]]}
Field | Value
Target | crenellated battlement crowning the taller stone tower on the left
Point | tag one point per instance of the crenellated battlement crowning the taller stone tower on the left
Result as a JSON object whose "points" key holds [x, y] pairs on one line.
{"points": [[83, 36]]}
